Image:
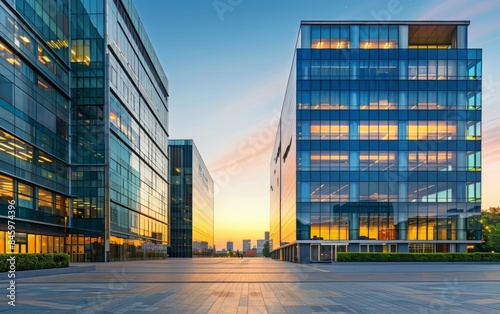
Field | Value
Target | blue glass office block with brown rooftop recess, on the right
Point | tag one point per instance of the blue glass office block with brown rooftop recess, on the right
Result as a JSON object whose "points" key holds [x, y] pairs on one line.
{"points": [[378, 148]]}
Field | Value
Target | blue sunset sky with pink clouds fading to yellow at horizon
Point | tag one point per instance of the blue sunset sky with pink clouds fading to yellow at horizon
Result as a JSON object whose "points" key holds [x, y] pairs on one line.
{"points": [[228, 62]]}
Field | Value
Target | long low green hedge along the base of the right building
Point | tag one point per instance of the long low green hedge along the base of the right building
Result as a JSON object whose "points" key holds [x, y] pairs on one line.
{"points": [[418, 257]]}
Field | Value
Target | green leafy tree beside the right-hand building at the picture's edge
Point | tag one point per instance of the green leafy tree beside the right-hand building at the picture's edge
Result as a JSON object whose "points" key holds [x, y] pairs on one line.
{"points": [[490, 221]]}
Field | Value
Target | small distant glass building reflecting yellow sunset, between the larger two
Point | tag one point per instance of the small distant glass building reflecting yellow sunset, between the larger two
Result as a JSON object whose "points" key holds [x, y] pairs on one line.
{"points": [[191, 203]]}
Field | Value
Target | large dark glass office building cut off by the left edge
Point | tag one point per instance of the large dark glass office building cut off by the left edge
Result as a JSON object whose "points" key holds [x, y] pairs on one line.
{"points": [[83, 130]]}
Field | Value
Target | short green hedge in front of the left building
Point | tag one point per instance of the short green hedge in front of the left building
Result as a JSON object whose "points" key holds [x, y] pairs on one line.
{"points": [[32, 261]]}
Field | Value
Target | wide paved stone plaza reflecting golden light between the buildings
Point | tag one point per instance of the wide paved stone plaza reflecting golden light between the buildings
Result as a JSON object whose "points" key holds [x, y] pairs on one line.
{"points": [[258, 285]]}
